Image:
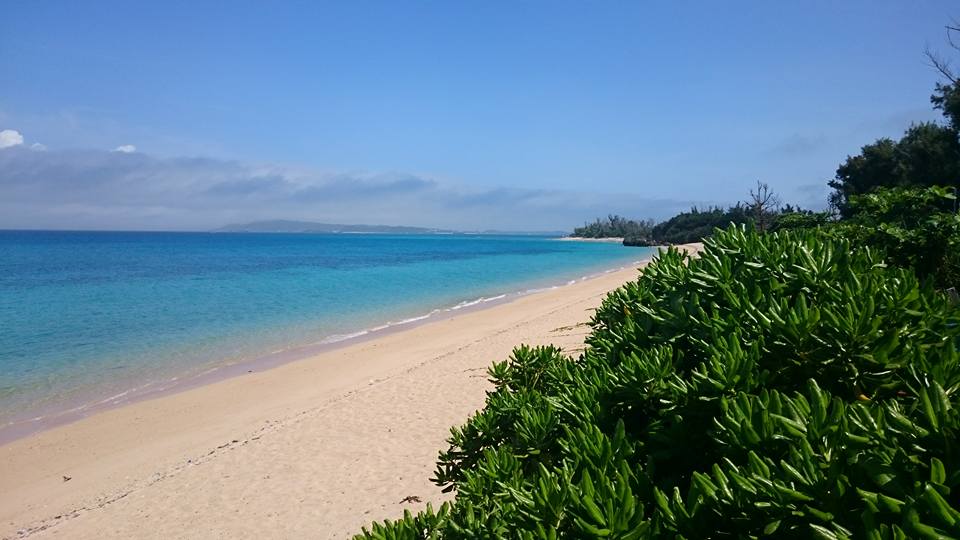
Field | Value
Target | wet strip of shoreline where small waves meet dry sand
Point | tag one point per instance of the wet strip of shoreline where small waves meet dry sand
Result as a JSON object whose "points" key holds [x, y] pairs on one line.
{"points": [[45, 420]]}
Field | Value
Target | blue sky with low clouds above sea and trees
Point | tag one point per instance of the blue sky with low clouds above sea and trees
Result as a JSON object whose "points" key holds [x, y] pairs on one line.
{"points": [[472, 115]]}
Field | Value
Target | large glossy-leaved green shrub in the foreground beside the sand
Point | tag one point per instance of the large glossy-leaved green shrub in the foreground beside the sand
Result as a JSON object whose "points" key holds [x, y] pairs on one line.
{"points": [[782, 385]]}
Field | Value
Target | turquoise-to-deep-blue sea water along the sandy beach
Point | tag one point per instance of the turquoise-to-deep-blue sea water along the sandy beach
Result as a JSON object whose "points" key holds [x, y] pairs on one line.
{"points": [[88, 317]]}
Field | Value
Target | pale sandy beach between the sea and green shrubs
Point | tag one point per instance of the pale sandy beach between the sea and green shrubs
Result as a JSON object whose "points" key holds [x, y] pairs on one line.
{"points": [[314, 448]]}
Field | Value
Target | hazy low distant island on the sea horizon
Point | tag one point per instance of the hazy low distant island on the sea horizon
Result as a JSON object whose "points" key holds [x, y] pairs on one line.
{"points": [[310, 227]]}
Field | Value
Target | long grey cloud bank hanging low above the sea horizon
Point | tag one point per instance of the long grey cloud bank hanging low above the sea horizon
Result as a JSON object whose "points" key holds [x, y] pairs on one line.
{"points": [[133, 190]]}
